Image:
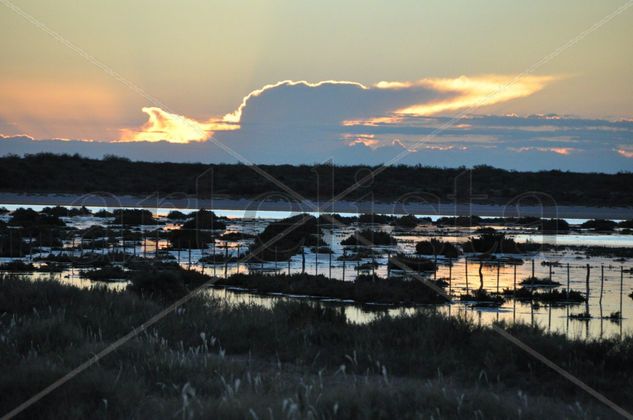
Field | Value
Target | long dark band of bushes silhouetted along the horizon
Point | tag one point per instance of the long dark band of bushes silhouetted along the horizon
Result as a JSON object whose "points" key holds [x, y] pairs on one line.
{"points": [[47, 172]]}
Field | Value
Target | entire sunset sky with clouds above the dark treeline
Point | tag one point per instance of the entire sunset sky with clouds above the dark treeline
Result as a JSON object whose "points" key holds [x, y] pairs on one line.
{"points": [[518, 85]]}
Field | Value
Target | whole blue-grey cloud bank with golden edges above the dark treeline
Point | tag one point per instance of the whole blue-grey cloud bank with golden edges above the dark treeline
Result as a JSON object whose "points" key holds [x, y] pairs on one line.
{"points": [[298, 122]]}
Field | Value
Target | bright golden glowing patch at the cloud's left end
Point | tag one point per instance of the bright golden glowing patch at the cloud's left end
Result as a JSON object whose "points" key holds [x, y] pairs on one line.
{"points": [[173, 128]]}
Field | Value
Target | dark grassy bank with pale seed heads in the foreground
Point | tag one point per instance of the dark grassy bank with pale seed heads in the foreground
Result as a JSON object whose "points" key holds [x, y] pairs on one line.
{"points": [[295, 360]]}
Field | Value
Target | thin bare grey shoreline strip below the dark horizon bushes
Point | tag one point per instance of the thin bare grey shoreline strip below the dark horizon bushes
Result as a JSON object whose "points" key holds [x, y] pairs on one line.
{"points": [[250, 207]]}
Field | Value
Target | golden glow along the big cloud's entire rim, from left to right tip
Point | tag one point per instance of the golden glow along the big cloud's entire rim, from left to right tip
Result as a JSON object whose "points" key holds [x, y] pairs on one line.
{"points": [[458, 93]]}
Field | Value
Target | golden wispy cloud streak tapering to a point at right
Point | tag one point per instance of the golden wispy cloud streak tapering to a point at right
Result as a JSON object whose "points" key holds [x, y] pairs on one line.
{"points": [[471, 92]]}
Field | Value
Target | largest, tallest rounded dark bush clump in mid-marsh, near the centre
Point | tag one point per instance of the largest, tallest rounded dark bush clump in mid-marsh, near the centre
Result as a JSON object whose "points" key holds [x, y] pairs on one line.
{"points": [[282, 239]]}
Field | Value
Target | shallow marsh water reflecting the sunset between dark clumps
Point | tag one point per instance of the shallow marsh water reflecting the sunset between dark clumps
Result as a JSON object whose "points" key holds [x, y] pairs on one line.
{"points": [[604, 297]]}
